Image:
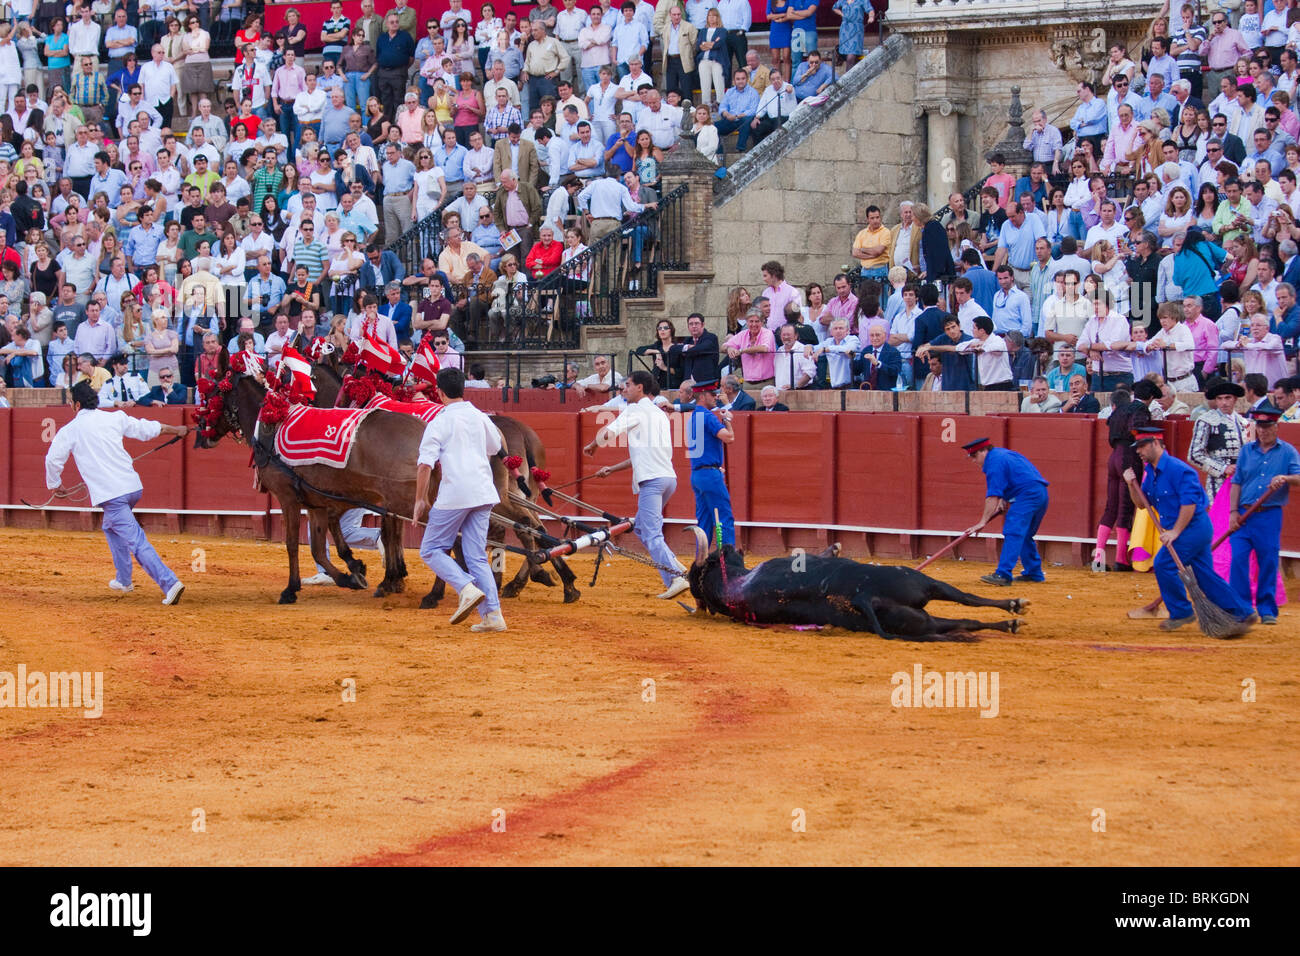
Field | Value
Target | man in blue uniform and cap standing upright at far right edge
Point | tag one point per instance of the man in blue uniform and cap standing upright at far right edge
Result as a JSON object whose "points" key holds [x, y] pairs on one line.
{"points": [[1264, 464]]}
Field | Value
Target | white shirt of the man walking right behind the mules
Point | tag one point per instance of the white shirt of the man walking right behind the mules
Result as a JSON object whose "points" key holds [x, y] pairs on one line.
{"points": [[462, 439]]}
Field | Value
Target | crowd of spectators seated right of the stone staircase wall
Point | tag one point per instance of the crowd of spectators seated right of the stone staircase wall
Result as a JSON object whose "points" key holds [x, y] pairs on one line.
{"points": [[1155, 240]]}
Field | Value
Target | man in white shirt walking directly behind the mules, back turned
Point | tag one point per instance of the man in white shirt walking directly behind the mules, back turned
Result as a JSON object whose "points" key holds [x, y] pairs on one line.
{"points": [[462, 439]]}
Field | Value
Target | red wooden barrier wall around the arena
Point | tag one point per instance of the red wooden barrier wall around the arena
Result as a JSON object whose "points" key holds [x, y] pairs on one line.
{"points": [[811, 469]]}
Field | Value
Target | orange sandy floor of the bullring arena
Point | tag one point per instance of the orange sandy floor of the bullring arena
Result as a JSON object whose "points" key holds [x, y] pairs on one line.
{"points": [[235, 707]]}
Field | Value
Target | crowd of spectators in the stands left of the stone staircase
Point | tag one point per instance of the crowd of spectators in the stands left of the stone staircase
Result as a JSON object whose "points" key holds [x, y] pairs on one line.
{"points": [[144, 217]]}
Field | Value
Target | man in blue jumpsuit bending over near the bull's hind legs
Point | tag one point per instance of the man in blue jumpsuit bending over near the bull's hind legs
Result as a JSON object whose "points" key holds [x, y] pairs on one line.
{"points": [[1013, 482]]}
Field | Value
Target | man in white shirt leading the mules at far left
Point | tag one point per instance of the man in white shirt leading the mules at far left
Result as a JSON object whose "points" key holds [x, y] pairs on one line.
{"points": [[94, 439]]}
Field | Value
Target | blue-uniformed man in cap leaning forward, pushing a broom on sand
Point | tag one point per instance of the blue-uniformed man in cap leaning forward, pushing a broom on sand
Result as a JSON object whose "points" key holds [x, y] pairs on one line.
{"points": [[1176, 492]]}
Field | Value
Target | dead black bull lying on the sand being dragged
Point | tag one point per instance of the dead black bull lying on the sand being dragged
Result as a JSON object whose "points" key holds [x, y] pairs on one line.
{"points": [[838, 592]]}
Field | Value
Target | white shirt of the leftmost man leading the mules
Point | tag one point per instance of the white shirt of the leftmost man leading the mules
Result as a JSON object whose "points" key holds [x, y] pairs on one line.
{"points": [[94, 439]]}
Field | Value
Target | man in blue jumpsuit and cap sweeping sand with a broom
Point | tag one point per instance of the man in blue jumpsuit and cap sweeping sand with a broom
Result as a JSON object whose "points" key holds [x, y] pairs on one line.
{"points": [[1180, 501]]}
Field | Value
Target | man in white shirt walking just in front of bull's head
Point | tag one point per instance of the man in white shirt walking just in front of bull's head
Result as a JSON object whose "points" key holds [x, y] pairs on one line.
{"points": [[653, 477]]}
